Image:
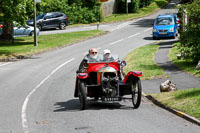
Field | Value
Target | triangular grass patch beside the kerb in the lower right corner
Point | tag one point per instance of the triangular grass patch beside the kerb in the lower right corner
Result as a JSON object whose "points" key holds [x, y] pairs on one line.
{"points": [[187, 101]]}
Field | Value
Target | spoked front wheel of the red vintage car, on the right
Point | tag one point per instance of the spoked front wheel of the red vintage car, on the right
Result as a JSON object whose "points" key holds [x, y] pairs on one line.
{"points": [[136, 93]]}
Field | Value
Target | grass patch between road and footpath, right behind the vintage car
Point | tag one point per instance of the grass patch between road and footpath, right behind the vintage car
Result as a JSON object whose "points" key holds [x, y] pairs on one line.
{"points": [[142, 59]]}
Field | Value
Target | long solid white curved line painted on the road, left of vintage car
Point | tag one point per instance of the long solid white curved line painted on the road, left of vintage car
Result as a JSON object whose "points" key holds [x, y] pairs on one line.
{"points": [[24, 107]]}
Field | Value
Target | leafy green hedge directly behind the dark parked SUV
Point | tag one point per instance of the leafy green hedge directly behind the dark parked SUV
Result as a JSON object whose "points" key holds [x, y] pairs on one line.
{"points": [[78, 11]]}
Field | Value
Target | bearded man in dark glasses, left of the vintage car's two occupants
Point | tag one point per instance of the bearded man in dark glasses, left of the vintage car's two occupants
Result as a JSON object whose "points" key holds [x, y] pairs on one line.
{"points": [[92, 56]]}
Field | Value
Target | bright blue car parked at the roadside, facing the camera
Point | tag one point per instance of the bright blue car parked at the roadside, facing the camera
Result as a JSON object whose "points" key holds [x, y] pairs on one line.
{"points": [[165, 26]]}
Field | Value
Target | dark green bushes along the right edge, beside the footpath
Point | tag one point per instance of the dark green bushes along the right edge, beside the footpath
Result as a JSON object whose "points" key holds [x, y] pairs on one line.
{"points": [[189, 37]]}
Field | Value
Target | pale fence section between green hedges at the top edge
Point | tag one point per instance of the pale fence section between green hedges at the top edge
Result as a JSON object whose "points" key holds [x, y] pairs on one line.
{"points": [[109, 7]]}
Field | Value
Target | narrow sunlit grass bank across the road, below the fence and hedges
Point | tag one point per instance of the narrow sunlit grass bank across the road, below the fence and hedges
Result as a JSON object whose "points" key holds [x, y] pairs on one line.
{"points": [[157, 4]]}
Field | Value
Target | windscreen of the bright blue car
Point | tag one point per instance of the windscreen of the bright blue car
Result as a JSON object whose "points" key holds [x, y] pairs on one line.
{"points": [[164, 21]]}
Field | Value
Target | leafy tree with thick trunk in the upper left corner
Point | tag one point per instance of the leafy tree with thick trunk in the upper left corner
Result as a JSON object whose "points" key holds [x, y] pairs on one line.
{"points": [[12, 10]]}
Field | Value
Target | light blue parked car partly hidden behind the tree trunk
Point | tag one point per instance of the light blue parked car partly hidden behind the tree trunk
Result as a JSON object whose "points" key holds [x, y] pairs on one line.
{"points": [[22, 31]]}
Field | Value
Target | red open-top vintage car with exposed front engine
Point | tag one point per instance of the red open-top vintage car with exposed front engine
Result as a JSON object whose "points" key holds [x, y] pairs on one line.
{"points": [[103, 81]]}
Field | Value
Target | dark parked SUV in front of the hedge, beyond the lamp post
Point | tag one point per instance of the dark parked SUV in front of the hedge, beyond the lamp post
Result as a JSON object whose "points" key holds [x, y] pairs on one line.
{"points": [[50, 20]]}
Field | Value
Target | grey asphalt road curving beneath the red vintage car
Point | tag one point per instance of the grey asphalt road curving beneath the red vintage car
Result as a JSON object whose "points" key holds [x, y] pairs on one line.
{"points": [[36, 94]]}
